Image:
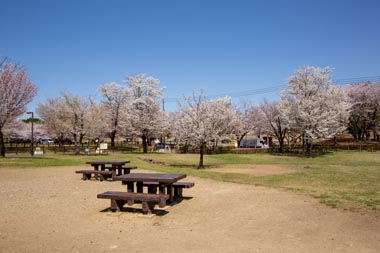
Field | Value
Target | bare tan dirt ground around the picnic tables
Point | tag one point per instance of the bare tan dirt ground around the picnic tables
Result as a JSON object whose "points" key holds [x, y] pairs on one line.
{"points": [[53, 210]]}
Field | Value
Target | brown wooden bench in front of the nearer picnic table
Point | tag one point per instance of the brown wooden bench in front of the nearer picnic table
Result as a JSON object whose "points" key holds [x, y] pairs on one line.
{"points": [[118, 199]]}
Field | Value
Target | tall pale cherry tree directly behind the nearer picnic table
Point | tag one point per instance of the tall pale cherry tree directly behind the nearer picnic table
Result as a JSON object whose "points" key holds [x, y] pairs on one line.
{"points": [[143, 115]]}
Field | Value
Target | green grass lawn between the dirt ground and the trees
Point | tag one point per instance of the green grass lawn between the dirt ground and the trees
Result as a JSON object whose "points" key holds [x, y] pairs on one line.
{"points": [[345, 180]]}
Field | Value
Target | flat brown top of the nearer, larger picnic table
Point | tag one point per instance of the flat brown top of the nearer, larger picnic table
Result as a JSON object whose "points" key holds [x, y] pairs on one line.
{"points": [[150, 177]]}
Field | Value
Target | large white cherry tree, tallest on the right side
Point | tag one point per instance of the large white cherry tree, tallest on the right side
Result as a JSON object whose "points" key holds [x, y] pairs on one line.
{"points": [[312, 106]]}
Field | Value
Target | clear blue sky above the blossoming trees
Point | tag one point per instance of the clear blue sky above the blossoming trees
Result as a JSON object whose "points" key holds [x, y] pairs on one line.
{"points": [[220, 46]]}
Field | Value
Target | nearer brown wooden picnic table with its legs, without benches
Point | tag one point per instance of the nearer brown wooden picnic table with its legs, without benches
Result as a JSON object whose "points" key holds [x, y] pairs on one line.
{"points": [[164, 181]]}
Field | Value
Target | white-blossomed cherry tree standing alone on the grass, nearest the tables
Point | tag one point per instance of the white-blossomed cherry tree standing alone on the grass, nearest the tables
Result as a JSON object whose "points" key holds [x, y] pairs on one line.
{"points": [[201, 120]]}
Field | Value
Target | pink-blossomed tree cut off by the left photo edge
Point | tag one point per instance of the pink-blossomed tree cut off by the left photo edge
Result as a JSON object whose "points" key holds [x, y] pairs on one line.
{"points": [[16, 91]]}
